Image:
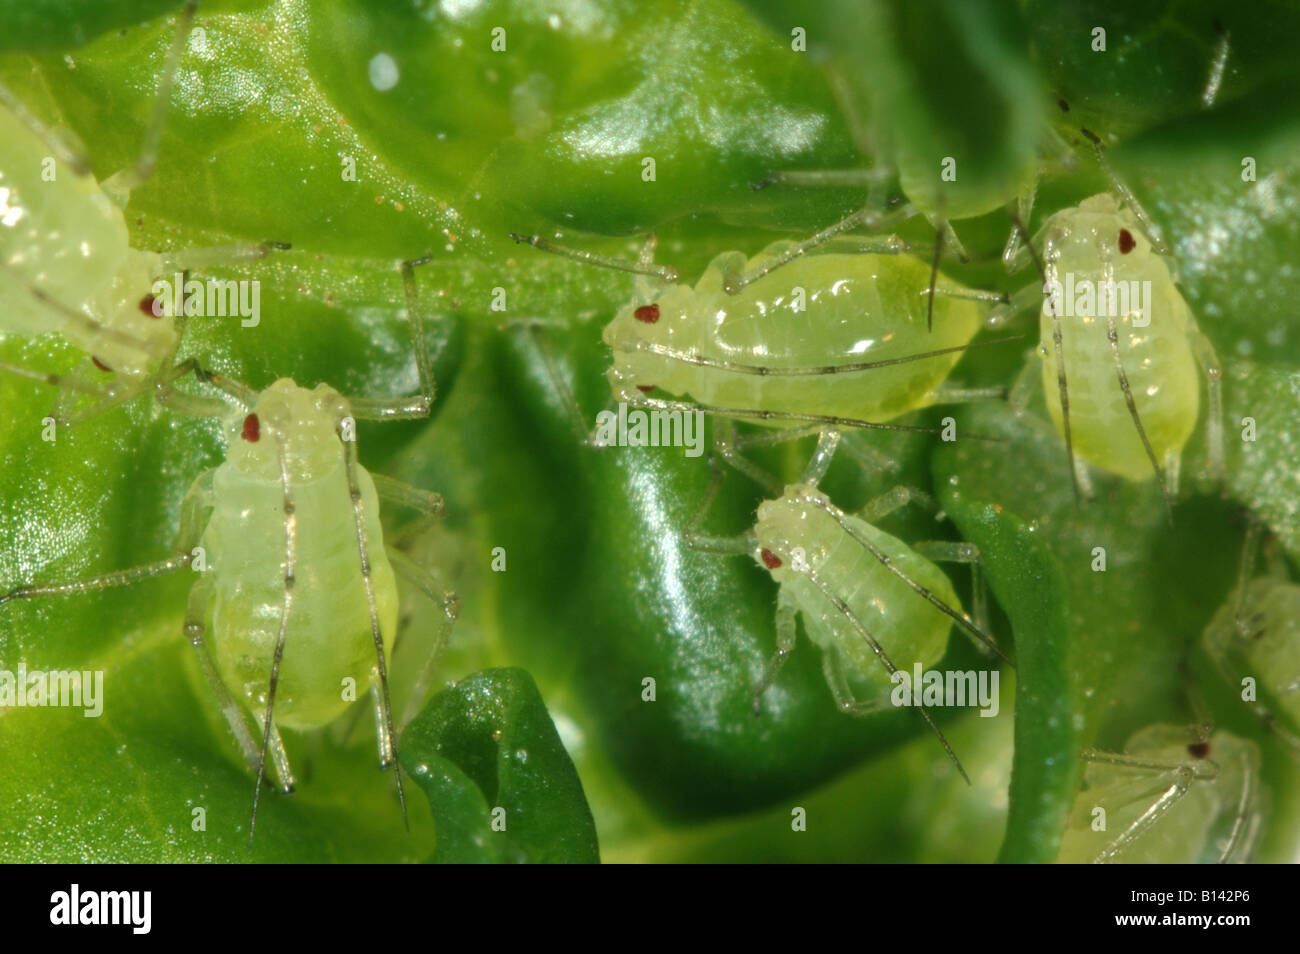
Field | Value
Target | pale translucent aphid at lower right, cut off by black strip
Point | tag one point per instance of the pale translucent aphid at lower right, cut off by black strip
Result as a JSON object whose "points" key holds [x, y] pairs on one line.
{"points": [[1176, 796]]}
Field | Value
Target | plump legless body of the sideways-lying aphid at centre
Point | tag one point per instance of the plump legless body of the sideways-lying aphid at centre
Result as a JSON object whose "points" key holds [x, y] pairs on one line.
{"points": [[824, 311]]}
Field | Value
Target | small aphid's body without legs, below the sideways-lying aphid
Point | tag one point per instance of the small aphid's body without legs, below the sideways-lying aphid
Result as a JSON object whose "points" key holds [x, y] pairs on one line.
{"points": [[801, 534]]}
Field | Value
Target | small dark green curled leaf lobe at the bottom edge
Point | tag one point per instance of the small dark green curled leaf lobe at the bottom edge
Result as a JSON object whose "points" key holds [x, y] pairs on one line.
{"points": [[487, 754]]}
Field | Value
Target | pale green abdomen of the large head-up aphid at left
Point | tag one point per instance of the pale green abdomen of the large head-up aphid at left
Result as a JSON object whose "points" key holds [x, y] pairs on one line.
{"points": [[330, 628]]}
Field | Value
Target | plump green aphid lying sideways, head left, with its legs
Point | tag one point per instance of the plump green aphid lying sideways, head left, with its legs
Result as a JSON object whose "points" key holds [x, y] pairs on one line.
{"points": [[838, 341]]}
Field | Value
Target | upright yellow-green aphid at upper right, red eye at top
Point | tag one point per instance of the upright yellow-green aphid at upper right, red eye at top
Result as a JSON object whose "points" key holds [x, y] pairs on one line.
{"points": [[1120, 349]]}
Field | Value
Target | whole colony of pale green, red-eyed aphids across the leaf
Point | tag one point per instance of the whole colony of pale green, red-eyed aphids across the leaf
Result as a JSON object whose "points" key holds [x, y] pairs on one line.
{"points": [[805, 339]]}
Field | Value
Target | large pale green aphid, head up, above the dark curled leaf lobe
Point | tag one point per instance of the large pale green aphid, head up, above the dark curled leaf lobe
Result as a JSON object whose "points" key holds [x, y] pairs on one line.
{"points": [[297, 592]]}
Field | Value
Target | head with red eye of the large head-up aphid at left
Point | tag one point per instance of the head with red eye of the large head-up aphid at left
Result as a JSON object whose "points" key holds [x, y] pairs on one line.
{"points": [[302, 422]]}
